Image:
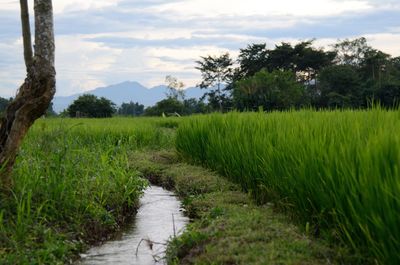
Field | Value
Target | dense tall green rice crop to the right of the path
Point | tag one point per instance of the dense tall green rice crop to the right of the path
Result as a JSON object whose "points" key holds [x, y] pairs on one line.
{"points": [[339, 170]]}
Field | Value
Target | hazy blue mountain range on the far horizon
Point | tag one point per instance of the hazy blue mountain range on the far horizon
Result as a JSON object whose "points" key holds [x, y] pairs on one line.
{"points": [[125, 92]]}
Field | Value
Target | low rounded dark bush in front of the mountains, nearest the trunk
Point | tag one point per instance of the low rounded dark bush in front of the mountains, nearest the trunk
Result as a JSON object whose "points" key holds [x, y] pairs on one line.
{"points": [[92, 107]]}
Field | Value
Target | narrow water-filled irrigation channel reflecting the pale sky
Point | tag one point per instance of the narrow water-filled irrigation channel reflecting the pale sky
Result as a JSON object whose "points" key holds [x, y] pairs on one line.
{"points": [[158, 218]]}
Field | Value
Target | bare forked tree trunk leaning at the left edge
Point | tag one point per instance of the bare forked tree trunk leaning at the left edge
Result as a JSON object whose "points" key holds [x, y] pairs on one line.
{"points": [[36, 93]]}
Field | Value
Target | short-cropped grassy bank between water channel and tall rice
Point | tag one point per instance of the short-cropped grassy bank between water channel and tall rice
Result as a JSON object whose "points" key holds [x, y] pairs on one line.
{"points": [[227, 227]]}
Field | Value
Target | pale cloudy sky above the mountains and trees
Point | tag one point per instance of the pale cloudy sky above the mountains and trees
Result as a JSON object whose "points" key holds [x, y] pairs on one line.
{"points": [[104, 42]]}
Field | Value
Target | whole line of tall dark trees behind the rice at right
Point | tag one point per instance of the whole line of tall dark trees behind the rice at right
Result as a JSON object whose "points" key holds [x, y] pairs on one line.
{"points": [[351, 75]]}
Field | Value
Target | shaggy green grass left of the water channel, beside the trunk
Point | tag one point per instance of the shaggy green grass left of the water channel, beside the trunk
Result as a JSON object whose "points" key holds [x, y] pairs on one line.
{"points": [[73, 186]]}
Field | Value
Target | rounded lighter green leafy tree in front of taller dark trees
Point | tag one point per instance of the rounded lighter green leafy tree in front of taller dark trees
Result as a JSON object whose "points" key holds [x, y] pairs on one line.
{"points": [[271, 91]]}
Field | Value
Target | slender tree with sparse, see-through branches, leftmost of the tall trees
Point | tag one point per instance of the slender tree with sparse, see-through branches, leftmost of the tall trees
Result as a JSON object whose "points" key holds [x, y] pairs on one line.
{"points": [[216, 72]]}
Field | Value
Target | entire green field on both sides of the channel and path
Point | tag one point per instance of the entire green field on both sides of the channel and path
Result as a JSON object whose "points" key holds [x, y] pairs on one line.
{"points": [[337, 172]]}
